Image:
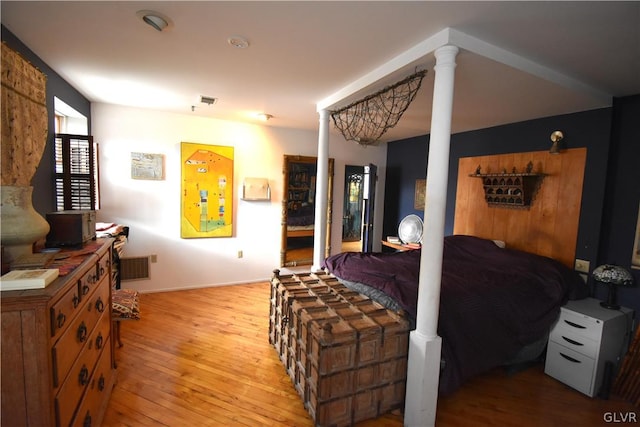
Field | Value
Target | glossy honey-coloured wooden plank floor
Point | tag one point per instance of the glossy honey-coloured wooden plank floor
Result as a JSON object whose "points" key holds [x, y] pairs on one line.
{"points": [[202, 358]]}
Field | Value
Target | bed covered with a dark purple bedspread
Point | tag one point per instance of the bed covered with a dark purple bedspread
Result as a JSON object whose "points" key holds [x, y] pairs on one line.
{"points": [[497, 305]]}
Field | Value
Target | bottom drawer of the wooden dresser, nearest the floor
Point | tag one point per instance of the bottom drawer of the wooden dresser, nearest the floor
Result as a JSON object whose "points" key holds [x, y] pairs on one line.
{"points": [[97, 392]]}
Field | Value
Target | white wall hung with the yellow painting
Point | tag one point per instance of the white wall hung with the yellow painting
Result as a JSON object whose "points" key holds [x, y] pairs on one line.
{"points": [[152, 208]]}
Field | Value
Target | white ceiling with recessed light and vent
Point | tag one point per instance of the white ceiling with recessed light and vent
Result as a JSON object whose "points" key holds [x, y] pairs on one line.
{"points": [[305, 52]]}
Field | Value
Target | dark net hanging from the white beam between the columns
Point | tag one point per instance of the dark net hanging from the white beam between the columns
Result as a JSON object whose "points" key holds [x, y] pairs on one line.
{"points": [[366, 120]]}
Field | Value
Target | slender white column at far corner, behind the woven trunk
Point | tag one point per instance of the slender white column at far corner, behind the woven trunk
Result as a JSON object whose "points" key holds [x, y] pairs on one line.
{"points": [[322, 185]]}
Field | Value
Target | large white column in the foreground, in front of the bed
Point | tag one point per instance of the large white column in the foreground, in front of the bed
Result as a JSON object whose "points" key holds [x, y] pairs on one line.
{"points": [[424, 343]]}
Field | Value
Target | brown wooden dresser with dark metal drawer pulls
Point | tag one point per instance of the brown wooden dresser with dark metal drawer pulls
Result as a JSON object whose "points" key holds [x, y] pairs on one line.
{"points": [[57, 352]]}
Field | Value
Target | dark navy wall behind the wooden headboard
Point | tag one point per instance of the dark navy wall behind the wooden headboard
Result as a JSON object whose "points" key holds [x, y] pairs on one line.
{"points": [[602, 212]]}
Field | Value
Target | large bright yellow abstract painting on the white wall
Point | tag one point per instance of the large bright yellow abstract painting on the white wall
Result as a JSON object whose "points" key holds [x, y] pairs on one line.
{"points": [[207, 190]]}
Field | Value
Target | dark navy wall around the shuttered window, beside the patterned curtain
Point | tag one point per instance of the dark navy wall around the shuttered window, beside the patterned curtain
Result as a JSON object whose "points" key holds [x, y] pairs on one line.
{"points": [[43, 182]]}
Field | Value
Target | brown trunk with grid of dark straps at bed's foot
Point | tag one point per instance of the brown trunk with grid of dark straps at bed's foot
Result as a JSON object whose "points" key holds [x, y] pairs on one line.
{"points": [[346, 355]]}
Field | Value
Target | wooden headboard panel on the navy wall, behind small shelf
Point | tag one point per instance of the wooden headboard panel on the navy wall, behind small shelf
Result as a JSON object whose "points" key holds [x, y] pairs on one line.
{"points": [[549, 226]]}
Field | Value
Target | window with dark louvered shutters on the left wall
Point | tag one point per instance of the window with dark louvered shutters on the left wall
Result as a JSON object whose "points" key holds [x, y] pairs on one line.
{"points": [[76, 172]]}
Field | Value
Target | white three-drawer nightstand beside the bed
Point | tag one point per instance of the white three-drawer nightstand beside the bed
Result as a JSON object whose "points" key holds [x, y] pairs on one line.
{"points": [[586, 337]]}
